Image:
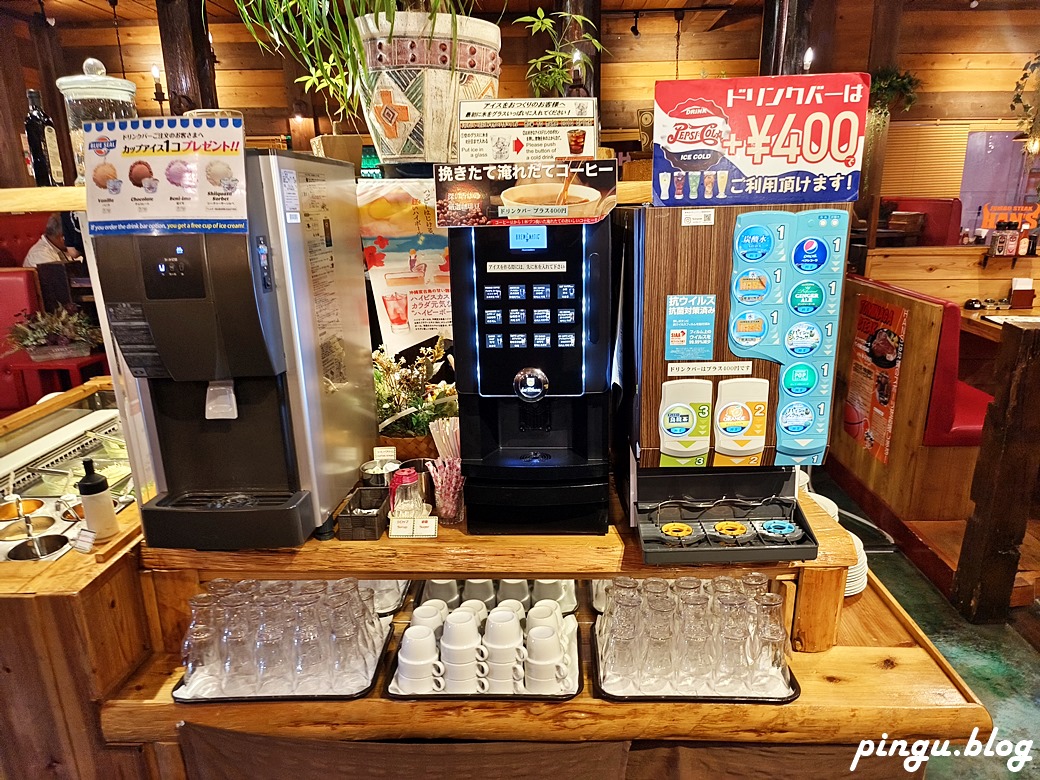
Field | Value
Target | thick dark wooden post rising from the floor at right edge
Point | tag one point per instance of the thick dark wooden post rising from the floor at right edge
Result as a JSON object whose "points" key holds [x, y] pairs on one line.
{"points": [[1005, 476]]}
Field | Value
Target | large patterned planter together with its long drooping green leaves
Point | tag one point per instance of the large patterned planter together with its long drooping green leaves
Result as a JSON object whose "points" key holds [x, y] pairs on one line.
{"points": [[407, 68]]}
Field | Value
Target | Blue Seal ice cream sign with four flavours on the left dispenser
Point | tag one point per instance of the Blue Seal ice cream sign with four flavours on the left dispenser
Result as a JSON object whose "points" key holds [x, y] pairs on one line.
{"points": [[166, 176]]}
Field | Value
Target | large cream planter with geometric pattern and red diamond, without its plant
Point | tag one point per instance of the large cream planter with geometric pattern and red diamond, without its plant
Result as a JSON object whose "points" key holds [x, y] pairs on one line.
{"points": [[413, 114]]}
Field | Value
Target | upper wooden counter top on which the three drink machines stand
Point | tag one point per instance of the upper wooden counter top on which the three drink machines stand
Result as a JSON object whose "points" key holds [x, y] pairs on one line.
{"points": [[457, 555]]}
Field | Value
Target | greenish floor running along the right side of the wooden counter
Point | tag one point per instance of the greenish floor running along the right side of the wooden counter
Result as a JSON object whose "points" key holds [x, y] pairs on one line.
{"points": [[998, 664]]}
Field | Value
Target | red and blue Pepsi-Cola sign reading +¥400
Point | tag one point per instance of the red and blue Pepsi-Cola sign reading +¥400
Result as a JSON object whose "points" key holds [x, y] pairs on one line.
{"points": [[779, 140]]}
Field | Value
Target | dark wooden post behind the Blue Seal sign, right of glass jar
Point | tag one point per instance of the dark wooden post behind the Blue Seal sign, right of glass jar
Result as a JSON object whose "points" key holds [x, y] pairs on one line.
{"points": [[187, 56]]}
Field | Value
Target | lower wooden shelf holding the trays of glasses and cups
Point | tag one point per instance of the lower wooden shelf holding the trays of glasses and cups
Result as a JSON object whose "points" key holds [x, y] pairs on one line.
{"points": [[885, 677]]}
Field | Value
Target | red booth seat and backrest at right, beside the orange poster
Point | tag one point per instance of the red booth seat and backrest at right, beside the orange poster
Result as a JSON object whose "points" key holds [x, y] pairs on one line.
{"points": [[956, 410]]}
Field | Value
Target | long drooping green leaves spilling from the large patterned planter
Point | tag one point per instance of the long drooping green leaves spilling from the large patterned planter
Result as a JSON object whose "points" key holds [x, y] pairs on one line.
{"points": [[324, 37]]}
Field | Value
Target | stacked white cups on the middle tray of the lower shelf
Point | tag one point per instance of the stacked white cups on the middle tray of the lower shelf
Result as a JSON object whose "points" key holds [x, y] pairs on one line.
{"points": [[484, 653]]}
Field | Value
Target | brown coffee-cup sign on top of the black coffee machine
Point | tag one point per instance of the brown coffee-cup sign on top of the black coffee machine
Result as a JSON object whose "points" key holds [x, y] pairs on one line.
{"points": [[562, 193]]}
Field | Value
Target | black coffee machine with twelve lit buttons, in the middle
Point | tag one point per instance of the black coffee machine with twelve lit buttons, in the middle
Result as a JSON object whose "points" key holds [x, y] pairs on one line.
{"points": [[532, 310]]}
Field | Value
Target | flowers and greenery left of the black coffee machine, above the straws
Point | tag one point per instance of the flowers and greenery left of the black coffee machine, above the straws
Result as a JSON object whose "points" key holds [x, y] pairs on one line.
{"points": [[406, 400]]}
